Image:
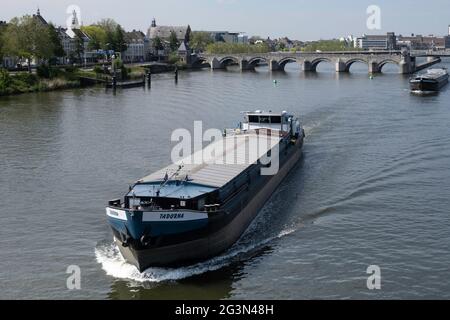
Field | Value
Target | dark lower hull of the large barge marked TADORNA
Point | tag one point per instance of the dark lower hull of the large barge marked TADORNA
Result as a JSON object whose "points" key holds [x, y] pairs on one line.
{"points": [[221, 232]]}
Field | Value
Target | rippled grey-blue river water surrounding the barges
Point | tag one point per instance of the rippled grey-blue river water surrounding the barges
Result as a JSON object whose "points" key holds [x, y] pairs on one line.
{"points": [[373, 188]]}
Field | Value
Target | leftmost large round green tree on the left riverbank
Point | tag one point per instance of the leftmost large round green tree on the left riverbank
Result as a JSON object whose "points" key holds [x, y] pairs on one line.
{"points": [[28, 38]]}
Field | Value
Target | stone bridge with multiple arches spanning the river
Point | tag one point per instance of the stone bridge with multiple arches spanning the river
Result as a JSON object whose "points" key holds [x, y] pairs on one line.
{"points": [[309, 61]]}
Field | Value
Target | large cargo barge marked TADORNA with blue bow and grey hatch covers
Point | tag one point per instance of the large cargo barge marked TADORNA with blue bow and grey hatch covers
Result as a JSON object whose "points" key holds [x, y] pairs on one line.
{"points": [[190, 211]]}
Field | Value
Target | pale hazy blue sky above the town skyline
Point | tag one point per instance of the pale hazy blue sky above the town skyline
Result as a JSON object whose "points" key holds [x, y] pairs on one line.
{"points": [[296, 19]]}
